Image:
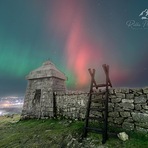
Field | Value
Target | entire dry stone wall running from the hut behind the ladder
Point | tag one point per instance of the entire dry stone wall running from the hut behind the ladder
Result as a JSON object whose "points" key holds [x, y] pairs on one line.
{"points": [[128, 108]]}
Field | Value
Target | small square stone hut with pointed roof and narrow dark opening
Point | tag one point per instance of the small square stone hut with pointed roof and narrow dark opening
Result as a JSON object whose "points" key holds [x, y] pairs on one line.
{"points": [[42, 82]]}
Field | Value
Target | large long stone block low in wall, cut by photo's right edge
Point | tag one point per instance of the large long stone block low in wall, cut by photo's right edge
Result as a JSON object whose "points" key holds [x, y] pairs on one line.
{"points": [[140, 117]]}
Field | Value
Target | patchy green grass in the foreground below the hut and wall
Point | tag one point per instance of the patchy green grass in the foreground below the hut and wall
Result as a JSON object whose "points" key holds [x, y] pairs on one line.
{"points": [[58, 134]]}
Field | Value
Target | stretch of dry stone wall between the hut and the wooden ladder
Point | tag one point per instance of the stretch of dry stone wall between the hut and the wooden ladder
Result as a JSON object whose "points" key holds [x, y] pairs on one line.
{"points": [[72, 105]]}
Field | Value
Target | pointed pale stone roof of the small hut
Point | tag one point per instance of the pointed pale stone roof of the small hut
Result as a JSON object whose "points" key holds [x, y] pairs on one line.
{"points": [[47, 69]]}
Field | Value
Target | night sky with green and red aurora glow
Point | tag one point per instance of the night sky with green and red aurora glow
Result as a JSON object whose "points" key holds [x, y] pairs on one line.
{"points": [[74, 35]]}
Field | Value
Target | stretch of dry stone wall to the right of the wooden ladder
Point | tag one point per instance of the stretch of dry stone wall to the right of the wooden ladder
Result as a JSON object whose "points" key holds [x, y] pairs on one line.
{"points": [[128, 108]]}
